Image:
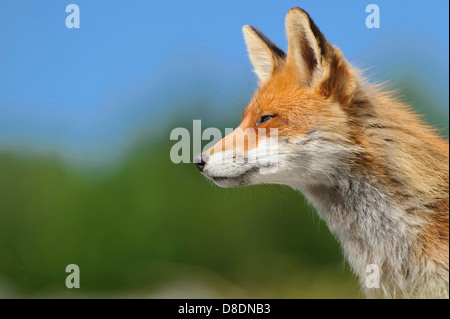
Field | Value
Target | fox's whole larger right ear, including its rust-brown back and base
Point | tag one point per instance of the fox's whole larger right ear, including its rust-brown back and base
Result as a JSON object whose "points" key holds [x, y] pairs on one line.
{"points": [[315, 61]]}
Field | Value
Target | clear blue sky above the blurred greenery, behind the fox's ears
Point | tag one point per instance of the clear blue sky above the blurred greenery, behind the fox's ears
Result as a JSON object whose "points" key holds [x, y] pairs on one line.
{"points": [[87, 90]]}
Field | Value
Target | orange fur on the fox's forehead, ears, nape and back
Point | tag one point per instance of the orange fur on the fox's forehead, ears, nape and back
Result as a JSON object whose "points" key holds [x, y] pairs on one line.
{"points": [[315, 88]]}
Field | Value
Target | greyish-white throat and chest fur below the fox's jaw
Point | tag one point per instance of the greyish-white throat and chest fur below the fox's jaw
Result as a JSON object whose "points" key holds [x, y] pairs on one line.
{"points": [[373, 231]]}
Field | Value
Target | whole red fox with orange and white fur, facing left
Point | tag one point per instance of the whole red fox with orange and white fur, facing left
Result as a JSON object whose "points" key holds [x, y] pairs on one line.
{"points": [[376, 173]]}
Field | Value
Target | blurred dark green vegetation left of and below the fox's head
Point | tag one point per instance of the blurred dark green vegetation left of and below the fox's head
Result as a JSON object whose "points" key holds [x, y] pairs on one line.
{"points": [[152, 225]]}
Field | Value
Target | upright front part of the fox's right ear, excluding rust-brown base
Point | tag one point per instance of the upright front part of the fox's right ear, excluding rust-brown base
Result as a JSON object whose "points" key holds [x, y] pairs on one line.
{"points": [[308, 48]]}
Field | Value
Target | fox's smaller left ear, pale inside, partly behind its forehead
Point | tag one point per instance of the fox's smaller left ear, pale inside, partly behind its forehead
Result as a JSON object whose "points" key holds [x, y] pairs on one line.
{"points": [[265, 56]]}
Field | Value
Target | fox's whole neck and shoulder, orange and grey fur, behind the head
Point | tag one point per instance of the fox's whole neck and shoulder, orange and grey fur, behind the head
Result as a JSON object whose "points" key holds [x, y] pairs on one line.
{"points": [[389, 207]]}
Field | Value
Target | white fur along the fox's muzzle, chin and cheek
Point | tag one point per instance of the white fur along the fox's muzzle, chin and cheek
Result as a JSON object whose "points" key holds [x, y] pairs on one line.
{"points": [[312, 159]]}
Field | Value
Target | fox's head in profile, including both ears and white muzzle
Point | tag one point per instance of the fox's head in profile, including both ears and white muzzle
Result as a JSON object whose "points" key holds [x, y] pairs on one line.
{"points": [[296, 129]]}
